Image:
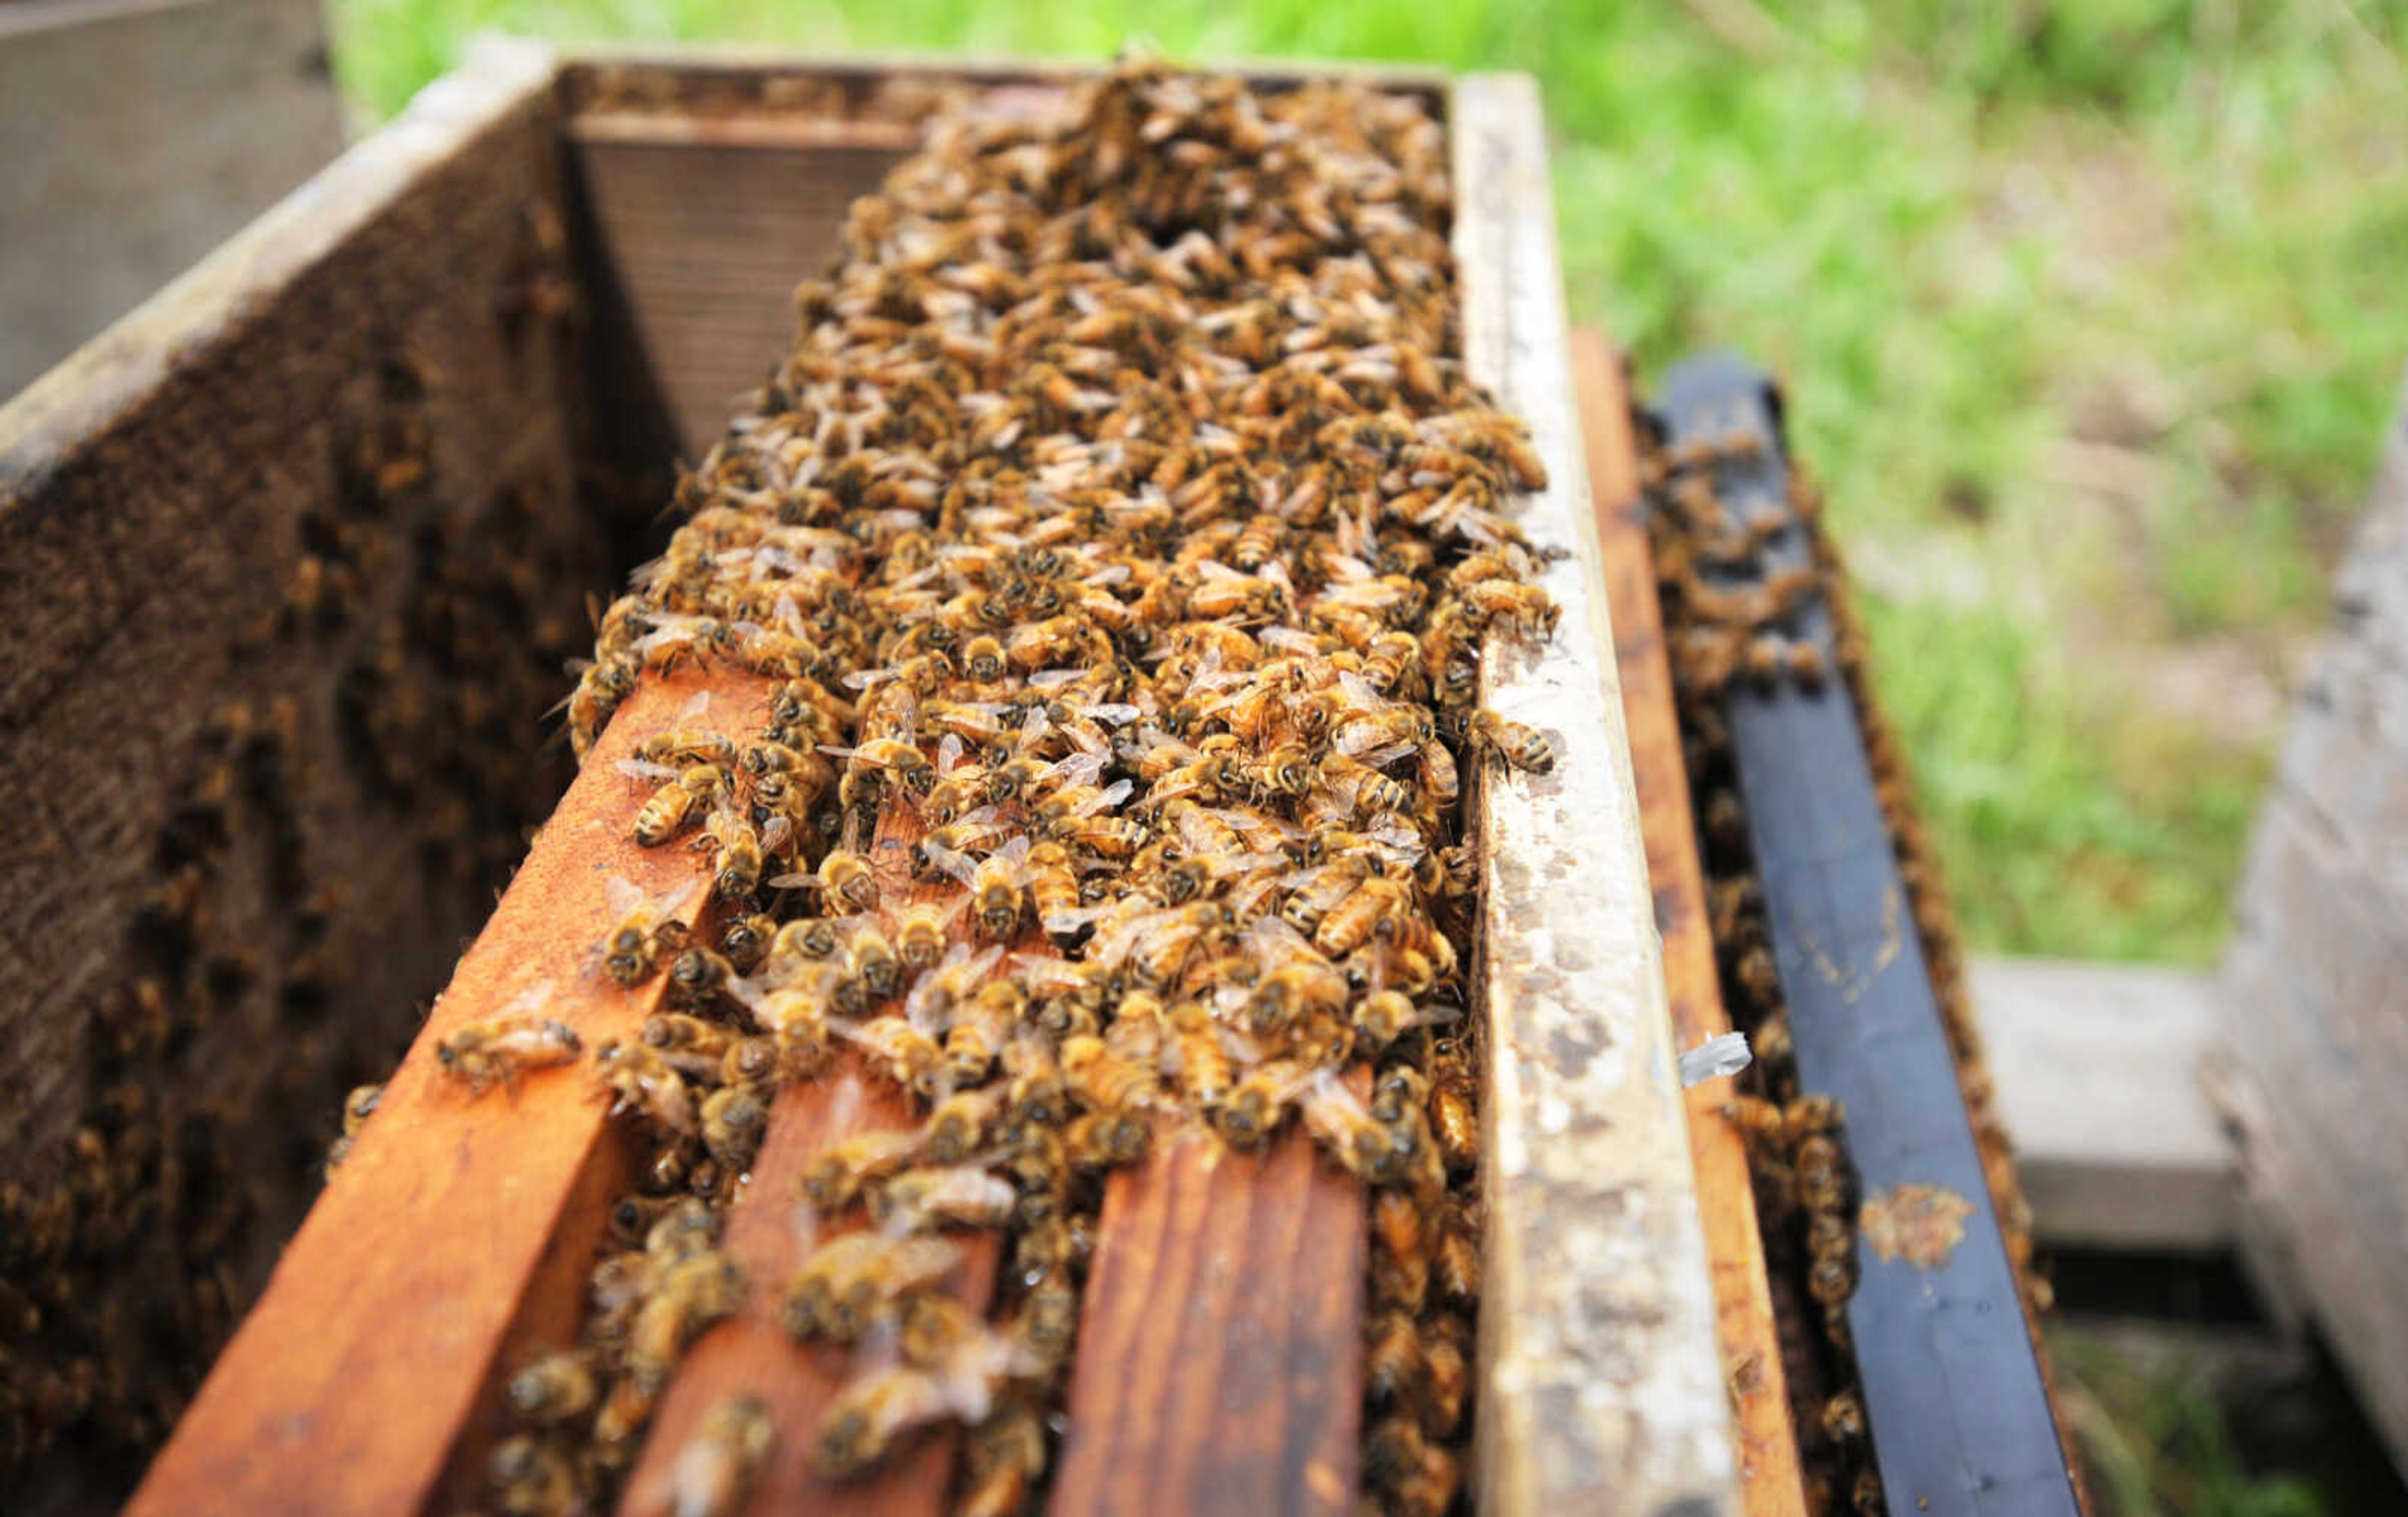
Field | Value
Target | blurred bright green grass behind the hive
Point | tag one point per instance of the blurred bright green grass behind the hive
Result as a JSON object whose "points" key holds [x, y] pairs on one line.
{"points": [[2084, 314]]}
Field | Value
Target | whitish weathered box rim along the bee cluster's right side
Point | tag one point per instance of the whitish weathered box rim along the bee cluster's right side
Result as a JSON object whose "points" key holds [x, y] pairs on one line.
{"points": [[1603, 1381]]}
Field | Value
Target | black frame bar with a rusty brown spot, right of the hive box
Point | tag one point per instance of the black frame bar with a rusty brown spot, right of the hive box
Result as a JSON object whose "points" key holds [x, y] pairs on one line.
{"points": [[1952, 1386]]}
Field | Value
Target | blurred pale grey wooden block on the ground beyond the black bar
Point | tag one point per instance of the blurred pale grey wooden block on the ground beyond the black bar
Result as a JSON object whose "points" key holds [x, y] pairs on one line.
{"points": [[2099, 1082]]}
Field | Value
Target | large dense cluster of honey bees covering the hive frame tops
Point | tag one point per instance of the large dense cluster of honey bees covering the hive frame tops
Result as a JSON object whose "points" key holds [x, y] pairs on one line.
{"points": [[1121, 536]]}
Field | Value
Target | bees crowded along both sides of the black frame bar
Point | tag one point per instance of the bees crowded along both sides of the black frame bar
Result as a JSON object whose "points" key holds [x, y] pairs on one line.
{"points": [[1728, 620]]}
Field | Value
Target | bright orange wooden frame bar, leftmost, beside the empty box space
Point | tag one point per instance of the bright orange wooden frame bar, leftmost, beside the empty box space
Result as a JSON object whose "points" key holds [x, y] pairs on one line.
{"points": [[459, 1229]]}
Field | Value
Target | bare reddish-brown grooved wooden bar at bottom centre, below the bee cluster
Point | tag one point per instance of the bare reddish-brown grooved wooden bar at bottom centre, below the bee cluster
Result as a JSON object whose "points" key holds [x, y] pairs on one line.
{"points": [[1222, 1338]]}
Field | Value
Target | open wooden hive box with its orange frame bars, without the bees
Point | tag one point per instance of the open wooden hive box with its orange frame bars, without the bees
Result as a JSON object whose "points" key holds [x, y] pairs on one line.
{"points": [[293, 560]]}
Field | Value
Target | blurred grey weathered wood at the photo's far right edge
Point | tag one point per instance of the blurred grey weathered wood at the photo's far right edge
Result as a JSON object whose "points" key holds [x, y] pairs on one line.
{"points": [[2315, 1044]]}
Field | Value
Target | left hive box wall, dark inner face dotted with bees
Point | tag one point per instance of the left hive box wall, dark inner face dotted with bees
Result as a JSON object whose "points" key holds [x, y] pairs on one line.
{"points": [[220, 538]]}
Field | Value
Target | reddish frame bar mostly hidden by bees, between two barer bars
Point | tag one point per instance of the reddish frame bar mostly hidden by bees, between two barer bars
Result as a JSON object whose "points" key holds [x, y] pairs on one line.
{"points": [[750, 1354]]}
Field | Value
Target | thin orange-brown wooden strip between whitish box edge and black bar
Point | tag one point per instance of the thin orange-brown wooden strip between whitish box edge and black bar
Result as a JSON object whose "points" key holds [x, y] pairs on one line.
{"points": [[1769, 1451]]}
